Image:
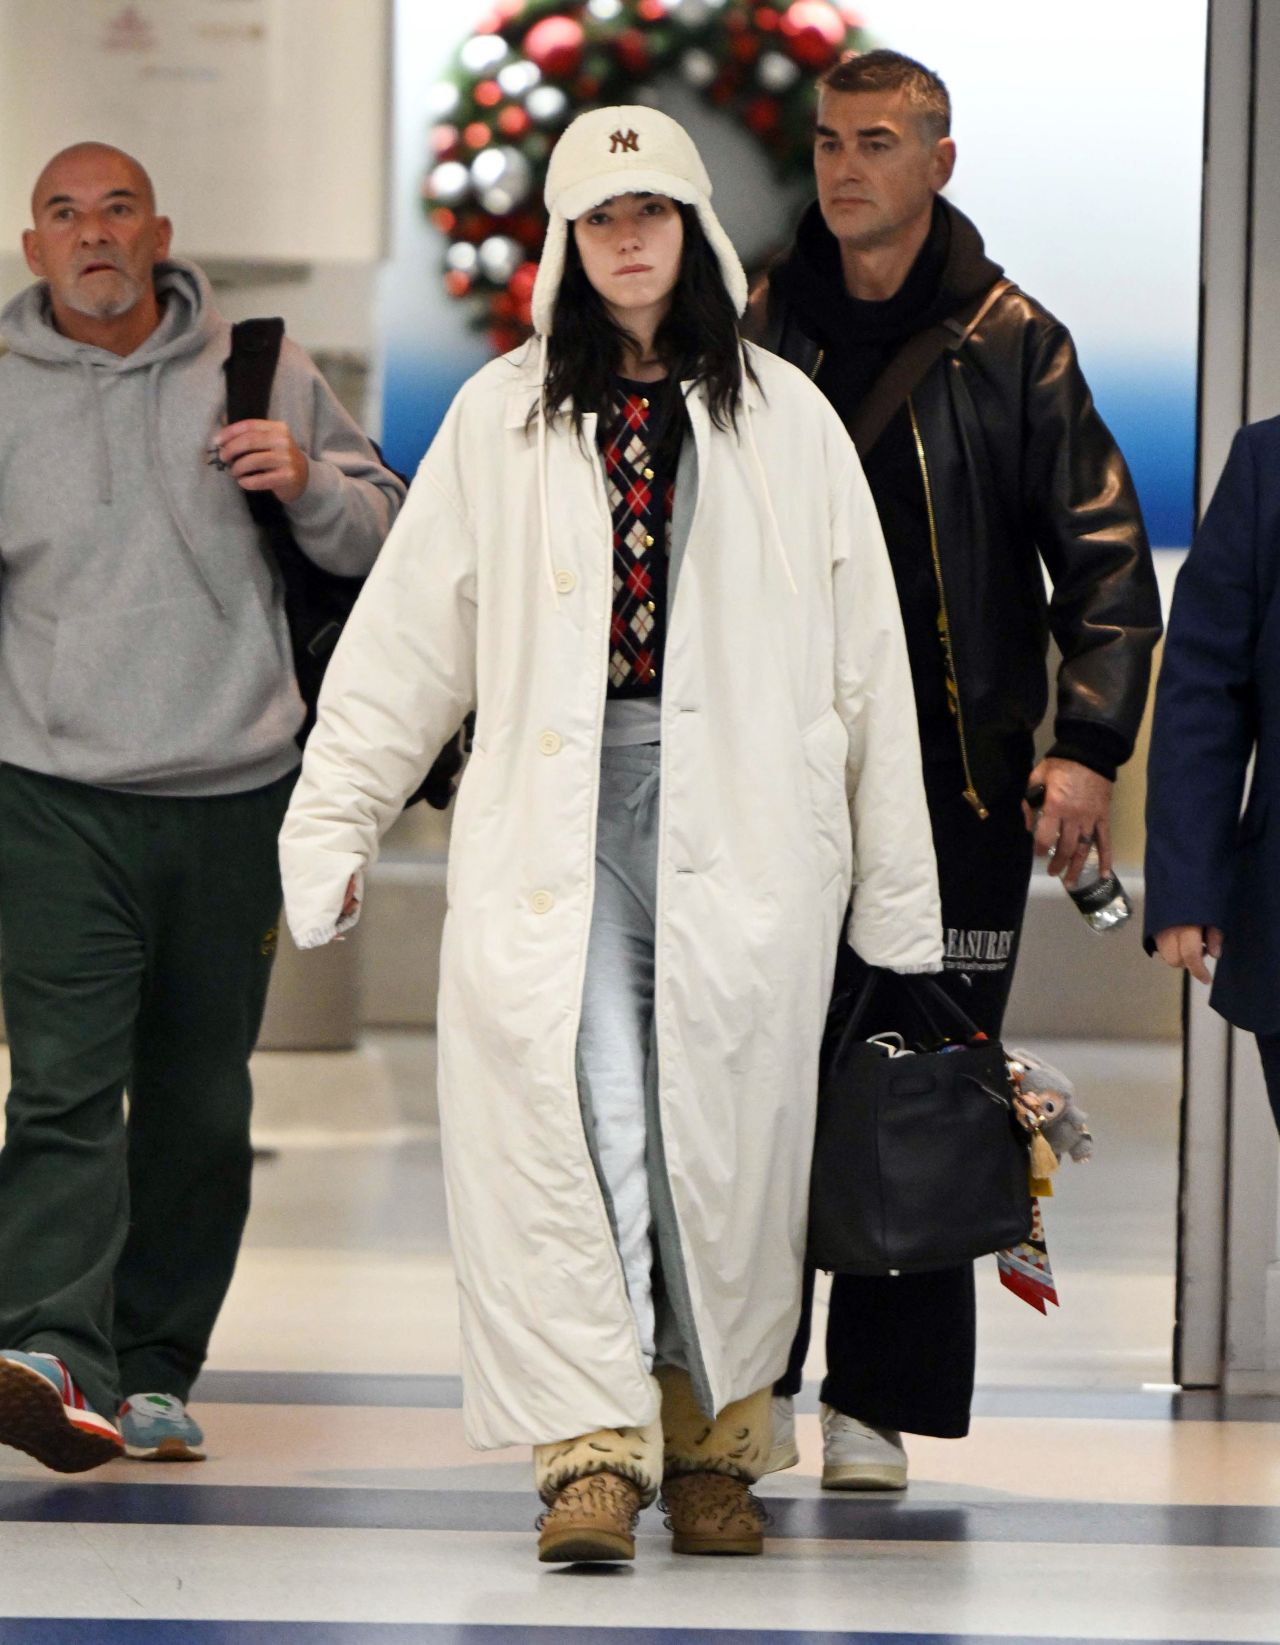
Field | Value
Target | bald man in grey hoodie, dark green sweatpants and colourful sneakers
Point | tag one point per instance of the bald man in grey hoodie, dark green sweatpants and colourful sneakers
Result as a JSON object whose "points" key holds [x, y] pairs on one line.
{"points": [[147, 753]]}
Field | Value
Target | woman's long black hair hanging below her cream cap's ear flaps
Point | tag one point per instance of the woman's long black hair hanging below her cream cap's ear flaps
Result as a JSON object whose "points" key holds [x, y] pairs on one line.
{"points": [[697, 343]]}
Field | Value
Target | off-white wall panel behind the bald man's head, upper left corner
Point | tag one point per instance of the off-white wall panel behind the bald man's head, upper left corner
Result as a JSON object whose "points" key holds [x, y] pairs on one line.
{"points": [[262, 121]]}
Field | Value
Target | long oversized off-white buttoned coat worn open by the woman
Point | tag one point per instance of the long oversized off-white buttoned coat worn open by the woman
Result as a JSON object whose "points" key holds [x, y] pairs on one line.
{"points": [[791, 777]]}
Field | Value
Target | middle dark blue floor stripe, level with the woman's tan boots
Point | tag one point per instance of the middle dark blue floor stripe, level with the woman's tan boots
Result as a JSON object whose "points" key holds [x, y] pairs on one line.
{"points": [[827, 1519]]}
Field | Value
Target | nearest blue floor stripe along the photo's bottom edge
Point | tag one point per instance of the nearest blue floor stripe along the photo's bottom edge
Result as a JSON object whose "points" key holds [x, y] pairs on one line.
{"points": [[49, 1631]]}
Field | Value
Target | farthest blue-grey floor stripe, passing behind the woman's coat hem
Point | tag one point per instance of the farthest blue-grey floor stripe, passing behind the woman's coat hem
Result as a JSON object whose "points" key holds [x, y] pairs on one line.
{"points": [[432, 1394]]}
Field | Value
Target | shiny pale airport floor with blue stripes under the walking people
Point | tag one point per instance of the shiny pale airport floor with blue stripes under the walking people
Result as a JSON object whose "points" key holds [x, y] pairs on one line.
{"points": [[341, 1504]]}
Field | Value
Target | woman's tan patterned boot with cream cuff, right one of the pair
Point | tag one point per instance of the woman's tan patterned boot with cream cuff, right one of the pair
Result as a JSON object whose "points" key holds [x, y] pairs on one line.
{"points": [[710, 1468]]}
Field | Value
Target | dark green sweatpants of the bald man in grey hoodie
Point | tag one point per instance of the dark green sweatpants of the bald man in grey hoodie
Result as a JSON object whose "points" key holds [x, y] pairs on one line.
{"points": [[136, 948]]}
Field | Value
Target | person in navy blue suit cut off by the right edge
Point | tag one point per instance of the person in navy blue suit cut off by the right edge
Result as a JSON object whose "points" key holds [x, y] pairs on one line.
{"points": [[1213, 871]]}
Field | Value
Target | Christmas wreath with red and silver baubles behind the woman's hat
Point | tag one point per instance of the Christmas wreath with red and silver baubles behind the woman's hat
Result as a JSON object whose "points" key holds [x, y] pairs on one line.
{"points": [[534, 65]]}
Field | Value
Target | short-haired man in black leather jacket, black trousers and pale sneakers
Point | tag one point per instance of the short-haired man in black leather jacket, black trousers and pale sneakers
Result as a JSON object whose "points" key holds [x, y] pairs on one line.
{"points": [[986, 456]]}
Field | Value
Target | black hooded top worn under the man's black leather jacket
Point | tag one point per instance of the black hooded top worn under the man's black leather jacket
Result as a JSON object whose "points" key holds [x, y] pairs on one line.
{"points": [[858, 343]]}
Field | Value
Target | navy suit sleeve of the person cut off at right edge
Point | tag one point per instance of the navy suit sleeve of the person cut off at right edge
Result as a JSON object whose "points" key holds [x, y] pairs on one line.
{"points": [[1205, 710]]}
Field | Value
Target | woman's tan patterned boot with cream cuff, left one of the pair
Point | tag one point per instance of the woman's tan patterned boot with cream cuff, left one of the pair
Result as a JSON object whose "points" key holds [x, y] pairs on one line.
{"points": [[595, 1490]]}
